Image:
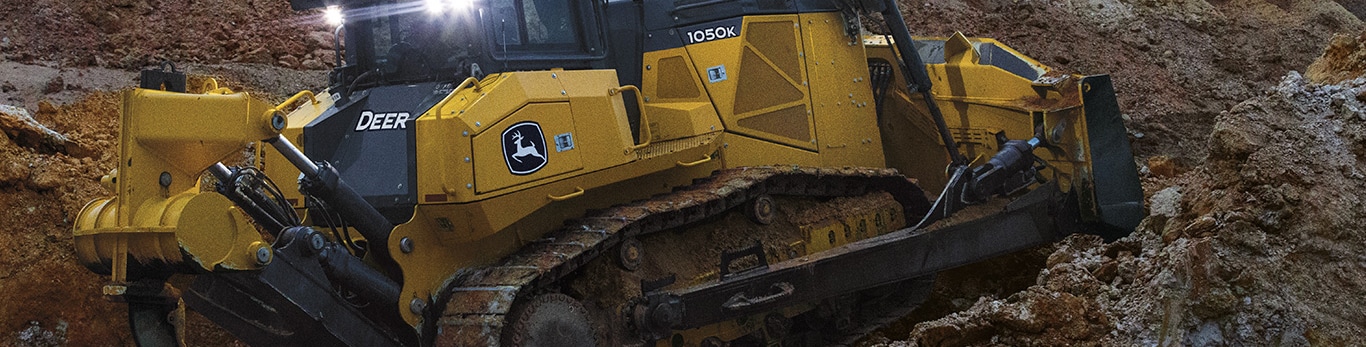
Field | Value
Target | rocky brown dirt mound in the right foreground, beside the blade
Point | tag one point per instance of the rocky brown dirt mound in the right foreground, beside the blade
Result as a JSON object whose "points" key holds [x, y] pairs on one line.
{"points": [[1259, 247]]}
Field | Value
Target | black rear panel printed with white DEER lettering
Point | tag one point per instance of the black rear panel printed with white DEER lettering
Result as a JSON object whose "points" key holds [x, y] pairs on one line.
{"points": [[379, 163]]}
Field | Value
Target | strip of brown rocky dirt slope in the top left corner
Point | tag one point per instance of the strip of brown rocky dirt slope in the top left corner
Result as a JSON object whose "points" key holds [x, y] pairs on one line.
{"points": [[137, 33]]}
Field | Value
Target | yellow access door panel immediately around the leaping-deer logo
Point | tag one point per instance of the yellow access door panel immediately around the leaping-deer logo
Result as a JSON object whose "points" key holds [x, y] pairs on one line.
{"points": [[494, 173]]}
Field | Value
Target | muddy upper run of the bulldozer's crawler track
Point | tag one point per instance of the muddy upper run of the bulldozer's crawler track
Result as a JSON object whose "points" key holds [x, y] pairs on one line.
{"points": [[480, 300]]}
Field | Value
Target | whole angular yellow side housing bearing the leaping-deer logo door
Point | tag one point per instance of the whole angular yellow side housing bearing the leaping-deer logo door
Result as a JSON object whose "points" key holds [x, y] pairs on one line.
{"points": [[471, 111]]}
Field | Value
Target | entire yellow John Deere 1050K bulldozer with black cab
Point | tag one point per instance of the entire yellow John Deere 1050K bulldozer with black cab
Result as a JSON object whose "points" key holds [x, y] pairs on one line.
{"points": [[581, 173]]}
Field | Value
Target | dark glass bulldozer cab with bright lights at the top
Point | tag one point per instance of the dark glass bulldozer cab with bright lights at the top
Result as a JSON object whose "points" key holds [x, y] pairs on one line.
{"points": [[442, 40]]}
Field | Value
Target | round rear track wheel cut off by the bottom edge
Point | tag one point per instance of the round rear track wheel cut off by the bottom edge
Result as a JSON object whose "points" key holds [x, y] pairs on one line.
{"points": [[551, 320]]}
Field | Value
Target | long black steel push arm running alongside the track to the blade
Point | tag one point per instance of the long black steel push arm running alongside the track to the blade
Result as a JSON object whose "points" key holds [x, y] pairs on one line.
{"points": [[905, 255]]}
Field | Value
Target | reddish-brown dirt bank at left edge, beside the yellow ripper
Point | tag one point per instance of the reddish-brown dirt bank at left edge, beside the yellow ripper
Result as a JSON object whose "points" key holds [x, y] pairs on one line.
{"points": [[50, 299]]}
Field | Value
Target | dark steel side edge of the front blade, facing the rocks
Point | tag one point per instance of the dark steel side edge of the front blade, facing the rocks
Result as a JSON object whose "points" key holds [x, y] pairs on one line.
{"points": [[1118, 193]]}
